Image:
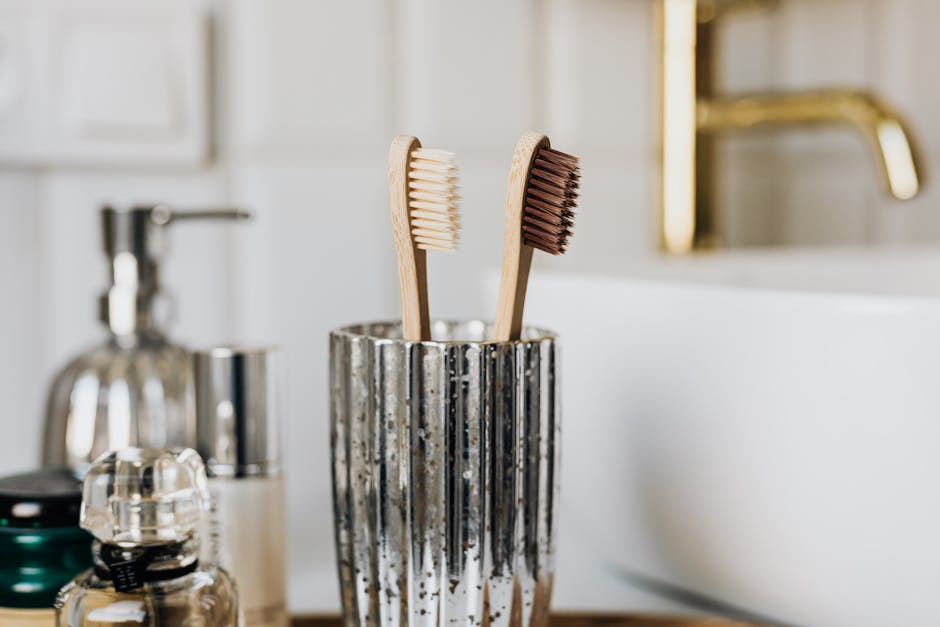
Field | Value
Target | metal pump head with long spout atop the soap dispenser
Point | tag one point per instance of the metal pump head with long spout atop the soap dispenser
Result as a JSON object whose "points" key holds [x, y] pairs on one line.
{"points": [[134, 241]]}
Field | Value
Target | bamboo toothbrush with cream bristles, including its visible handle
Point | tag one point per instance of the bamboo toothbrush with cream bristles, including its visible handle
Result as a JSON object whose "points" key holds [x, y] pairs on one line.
{"points": [[422, 194]]}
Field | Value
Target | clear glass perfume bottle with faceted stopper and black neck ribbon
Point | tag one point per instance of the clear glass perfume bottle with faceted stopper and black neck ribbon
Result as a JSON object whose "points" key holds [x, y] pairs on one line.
{"points": [[146, 508]]}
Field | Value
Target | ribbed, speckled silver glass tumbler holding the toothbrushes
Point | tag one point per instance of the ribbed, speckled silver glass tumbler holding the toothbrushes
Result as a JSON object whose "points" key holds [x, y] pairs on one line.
{"points": [[445, 475]]}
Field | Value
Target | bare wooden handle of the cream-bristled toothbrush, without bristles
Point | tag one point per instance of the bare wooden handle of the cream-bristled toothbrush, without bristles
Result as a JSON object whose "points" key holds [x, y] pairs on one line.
{"points": [[412, 261]]}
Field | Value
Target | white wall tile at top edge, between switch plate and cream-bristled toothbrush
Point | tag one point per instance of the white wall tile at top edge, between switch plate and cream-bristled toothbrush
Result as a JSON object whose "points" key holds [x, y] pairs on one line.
{"points": [[310, 75]]}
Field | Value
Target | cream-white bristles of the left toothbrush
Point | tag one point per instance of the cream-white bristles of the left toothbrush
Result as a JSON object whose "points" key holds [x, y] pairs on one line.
{"points": [[433, 201]]}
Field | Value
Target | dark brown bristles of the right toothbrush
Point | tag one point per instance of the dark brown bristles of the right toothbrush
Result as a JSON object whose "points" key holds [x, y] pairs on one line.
{"points": [[550, 200]]}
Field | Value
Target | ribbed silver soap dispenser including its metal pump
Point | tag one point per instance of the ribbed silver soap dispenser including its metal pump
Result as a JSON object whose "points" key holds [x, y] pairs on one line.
{"points": [[136, 388]]}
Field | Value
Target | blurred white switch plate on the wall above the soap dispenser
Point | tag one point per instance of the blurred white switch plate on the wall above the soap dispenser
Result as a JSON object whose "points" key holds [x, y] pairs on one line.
{"points": [[67, 98]]}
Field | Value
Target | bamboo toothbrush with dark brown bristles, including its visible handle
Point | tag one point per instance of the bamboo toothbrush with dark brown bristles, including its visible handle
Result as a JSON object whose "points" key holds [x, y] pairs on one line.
{"points": [[540, 204]]}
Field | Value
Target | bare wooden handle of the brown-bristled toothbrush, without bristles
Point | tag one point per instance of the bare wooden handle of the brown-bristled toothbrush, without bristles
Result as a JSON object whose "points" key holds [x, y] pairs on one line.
{"points": [[517, 257]]}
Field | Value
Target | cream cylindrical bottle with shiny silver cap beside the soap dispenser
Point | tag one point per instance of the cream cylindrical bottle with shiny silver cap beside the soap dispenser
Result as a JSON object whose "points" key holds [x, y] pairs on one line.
{"points": [[237, 415]]}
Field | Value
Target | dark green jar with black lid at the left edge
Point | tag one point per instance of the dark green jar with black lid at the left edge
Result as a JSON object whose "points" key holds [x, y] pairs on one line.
{"points": [[41, 545]]}
